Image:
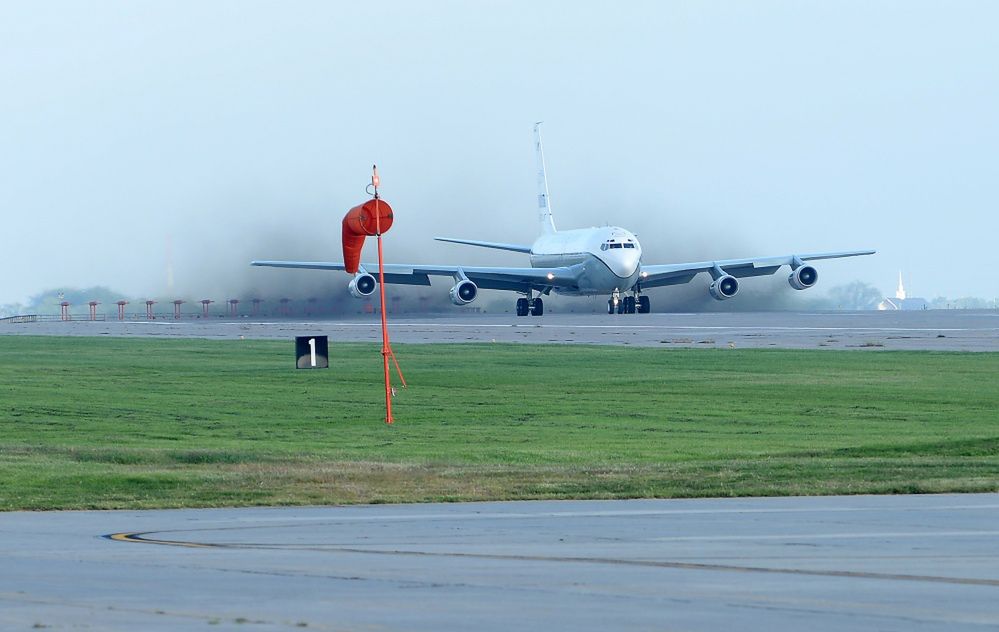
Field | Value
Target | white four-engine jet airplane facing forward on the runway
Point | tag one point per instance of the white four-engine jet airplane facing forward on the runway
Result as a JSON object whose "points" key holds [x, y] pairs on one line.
{"points": [[581, 262]]}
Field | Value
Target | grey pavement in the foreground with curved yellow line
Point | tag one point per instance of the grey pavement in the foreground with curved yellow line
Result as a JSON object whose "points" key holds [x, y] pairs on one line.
{"points": [[830, 563]]}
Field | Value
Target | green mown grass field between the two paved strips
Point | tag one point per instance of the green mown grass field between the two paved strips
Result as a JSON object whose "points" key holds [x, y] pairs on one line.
{"points": [[128, 423]]}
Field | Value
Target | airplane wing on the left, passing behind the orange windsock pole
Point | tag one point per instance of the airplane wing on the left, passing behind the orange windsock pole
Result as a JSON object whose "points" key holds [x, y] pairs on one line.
{"points": [[488, 278]]}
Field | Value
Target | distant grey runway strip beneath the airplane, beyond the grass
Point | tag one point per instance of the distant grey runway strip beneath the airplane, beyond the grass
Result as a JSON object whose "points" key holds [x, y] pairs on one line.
{"points": [[935, 330]]}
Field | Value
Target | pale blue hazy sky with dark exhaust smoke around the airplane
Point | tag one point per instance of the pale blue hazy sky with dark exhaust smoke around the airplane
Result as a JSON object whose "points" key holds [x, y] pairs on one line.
{"points": [[211, 133]]}
